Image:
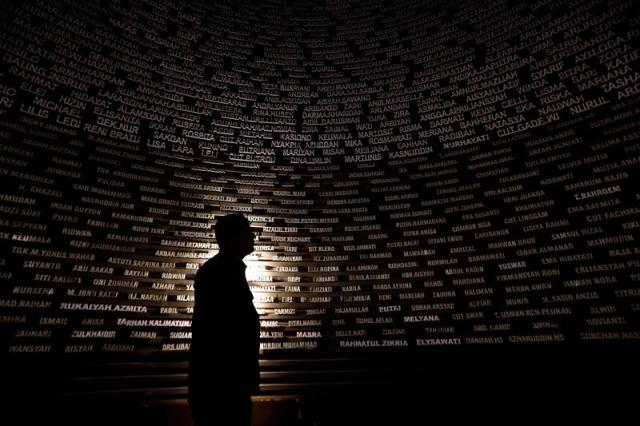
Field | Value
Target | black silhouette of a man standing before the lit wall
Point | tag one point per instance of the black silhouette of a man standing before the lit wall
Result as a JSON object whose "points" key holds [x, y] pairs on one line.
{"points": [[223, 367]]}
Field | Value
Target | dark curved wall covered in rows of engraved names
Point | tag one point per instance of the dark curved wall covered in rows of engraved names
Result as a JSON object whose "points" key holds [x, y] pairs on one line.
{"points": [[420, 175]]}
